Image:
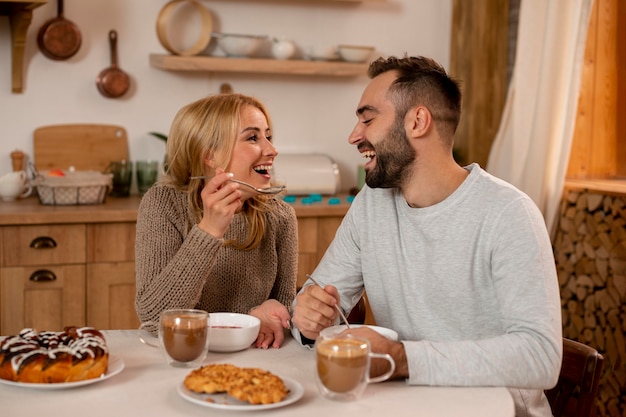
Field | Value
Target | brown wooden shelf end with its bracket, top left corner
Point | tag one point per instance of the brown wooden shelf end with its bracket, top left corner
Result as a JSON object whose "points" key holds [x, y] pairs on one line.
{"points": [[20, 14]]}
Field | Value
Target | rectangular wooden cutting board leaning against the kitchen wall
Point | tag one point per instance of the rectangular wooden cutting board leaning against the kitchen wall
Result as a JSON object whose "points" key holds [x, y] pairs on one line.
{"points": [[83, 146]]}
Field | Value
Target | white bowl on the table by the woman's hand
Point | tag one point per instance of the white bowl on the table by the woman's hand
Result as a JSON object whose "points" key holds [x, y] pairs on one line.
{"points": [[231, 332]]}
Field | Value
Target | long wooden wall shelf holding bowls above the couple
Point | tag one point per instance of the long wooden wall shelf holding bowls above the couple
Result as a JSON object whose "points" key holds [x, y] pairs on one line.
{"points": [[257, 65]]}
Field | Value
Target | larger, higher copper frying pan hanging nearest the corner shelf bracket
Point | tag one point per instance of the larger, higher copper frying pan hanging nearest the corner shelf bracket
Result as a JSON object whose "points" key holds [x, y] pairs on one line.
{"points": [[59, 38]]}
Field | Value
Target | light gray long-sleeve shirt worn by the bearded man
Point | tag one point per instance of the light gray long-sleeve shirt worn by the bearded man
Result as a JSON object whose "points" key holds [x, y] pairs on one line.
{"points": [[469, 284]]}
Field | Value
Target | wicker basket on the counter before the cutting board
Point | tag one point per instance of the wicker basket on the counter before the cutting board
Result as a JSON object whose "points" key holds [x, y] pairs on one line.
{"points": [[75, 188]]}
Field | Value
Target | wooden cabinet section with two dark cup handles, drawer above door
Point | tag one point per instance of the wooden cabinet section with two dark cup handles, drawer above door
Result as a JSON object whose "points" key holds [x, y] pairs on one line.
{"points": [[42, 277]]}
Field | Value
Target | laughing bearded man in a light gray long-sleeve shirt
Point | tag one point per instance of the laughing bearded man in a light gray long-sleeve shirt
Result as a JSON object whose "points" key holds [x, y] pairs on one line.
{"points": [[459, 263]]}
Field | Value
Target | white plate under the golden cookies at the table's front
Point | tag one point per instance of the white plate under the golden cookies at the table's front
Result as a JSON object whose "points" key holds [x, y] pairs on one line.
{"points": [[225, 402]]}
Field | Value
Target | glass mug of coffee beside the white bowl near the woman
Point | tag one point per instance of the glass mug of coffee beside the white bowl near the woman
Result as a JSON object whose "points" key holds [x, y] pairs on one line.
{"points": [[183, 336]]}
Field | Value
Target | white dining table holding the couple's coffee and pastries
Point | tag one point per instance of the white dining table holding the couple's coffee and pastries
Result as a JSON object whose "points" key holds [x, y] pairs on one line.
{"points": [[140, 383]]}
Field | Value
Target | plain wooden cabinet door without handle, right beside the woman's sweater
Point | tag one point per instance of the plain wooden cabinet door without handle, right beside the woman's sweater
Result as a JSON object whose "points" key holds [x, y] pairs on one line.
{"points": [[111, 295]]}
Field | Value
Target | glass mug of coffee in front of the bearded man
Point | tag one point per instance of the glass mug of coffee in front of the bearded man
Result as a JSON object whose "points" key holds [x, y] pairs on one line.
{"points": [[343, 366]]}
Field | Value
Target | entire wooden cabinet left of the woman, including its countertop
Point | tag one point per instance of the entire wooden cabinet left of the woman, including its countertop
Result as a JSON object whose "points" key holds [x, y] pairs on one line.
{"points": [[81, 273]]}
